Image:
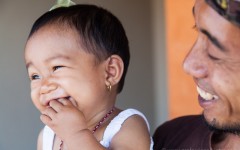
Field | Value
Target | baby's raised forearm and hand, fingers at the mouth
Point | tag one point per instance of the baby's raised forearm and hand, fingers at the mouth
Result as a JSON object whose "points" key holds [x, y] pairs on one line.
{"points": [[70, 125]]}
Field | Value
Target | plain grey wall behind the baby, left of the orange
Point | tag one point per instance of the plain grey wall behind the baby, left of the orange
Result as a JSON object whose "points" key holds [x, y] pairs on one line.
{"points": [[19, 120]]}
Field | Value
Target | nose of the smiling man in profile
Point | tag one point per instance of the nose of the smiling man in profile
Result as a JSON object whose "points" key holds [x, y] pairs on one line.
{"points": [[195, 64]]}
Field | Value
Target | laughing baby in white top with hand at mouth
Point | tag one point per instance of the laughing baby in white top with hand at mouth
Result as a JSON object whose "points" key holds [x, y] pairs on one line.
{"points": [[77, 59]]}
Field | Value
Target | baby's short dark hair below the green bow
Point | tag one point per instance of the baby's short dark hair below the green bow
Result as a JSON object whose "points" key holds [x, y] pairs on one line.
{"points": [[100, 32]]}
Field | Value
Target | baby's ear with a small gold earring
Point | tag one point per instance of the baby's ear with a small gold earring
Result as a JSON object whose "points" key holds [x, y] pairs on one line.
{"points": [[114, 70]]}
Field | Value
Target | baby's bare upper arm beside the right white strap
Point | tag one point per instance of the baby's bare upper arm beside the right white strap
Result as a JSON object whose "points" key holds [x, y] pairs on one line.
{"points": [[133, 135]]}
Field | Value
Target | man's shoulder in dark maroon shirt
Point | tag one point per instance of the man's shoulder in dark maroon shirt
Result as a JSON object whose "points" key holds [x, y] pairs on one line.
{"points": [[182, 132]]}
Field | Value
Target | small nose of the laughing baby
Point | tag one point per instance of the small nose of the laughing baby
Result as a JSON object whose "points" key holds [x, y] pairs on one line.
{"points": [[48, 86]]}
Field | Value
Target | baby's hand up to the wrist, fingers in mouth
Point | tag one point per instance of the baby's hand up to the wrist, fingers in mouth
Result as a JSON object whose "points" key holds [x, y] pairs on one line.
{"points": [[64, 118]]}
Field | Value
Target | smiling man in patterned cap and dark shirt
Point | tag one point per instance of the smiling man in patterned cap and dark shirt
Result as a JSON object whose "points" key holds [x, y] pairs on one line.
{"points": [[214, 64]]}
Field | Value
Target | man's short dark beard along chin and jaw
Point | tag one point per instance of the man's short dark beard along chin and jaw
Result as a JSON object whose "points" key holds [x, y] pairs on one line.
{"points": [[216, 127]]}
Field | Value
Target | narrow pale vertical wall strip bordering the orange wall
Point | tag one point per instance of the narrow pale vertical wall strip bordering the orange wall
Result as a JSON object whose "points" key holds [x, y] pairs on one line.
{"points": [[159, 62]]}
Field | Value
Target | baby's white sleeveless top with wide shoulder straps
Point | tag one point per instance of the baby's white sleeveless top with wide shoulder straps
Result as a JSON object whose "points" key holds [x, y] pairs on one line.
{"points": [[111, 130]]}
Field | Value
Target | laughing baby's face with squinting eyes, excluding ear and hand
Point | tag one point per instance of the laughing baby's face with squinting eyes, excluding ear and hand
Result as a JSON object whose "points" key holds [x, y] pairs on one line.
{"points": [[59, 68]]}
